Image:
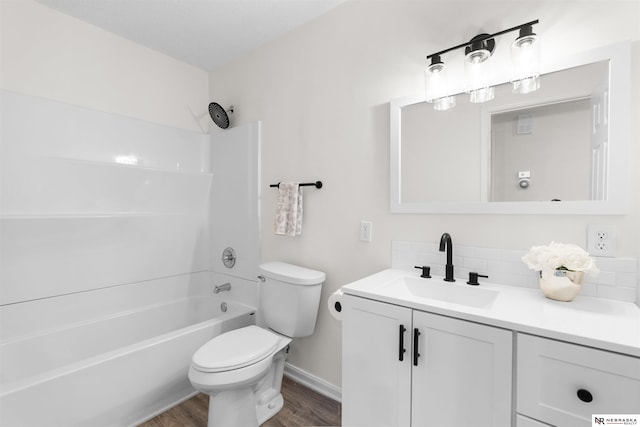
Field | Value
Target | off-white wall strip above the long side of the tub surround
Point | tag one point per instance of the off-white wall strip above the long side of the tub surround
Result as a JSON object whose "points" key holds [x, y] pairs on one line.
{"points": [[48, 54]]}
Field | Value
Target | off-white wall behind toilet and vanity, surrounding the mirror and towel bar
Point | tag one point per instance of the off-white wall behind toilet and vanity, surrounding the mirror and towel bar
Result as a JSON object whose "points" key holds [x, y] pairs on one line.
{"points": [[322, 94]]}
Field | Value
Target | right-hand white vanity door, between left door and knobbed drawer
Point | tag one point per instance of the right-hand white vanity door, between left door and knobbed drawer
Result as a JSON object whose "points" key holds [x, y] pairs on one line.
{"points": [[463, 374]]}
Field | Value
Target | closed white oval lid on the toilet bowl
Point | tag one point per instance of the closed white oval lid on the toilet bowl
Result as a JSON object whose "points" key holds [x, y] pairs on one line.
{"points": [[235, 349]]}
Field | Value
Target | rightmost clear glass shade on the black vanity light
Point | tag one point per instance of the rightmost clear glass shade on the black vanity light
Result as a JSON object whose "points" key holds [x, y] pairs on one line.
{"points": [[525, 64]]}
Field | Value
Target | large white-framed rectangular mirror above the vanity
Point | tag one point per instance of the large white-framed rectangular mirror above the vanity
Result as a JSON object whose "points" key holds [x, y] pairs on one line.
{"points": [[560, 150]]}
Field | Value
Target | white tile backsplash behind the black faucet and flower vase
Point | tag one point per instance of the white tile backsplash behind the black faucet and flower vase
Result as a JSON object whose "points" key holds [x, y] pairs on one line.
{"points": [[617, 280]]}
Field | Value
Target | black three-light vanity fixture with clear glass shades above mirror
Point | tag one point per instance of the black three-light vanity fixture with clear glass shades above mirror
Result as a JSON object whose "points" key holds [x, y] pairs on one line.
{"points": [[525, 59]]}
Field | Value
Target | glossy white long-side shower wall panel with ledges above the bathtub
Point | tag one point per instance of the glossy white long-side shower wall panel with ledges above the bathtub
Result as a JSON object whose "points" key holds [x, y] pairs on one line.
{"points": [[90, 199]]}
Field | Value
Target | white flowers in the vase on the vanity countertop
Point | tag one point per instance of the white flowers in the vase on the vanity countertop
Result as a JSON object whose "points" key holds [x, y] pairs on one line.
{"points": [[560, 256]]}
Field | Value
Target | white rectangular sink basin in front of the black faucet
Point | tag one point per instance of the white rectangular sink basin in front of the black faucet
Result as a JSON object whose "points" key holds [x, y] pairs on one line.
{"points": [[439, 290]]}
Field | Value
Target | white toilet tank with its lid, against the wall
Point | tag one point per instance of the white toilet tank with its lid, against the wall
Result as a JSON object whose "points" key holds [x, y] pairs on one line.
{"points": [[290, 297]]}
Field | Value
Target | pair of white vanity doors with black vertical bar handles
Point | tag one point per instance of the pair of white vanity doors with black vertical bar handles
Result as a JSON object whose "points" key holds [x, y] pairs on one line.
{"points": [[404, 367]]}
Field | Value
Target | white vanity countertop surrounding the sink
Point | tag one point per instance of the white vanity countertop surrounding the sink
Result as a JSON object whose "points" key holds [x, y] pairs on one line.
{"points": [[595, 322]]}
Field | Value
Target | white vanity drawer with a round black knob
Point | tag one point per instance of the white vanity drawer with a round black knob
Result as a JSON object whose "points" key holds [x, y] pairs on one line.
{"points": [[564, 384]]}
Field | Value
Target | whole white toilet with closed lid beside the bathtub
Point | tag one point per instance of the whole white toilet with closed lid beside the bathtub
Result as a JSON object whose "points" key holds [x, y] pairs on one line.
{"points": [[241, 370]]}
